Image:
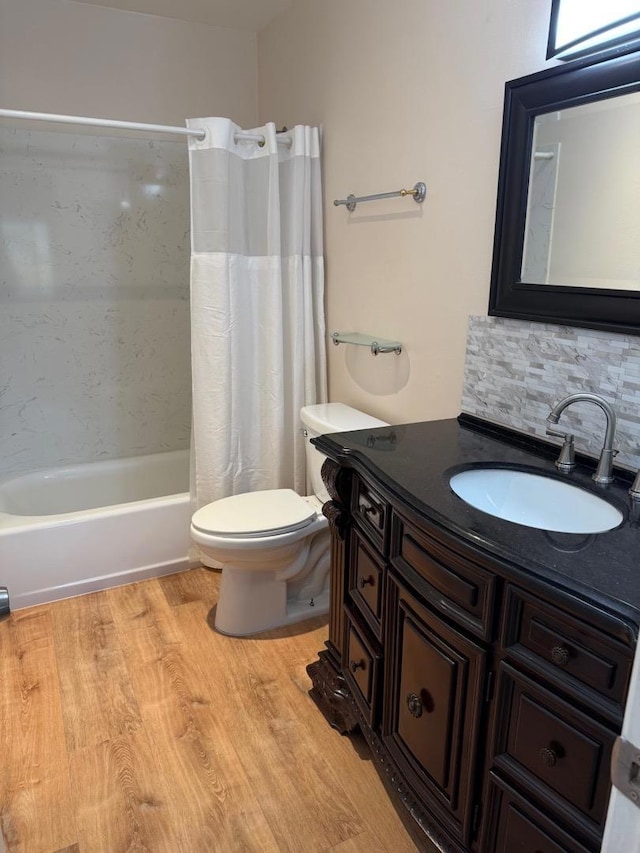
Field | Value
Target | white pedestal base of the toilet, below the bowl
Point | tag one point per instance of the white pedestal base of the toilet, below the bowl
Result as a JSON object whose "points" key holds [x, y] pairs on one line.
{"points": [[253, 602]]}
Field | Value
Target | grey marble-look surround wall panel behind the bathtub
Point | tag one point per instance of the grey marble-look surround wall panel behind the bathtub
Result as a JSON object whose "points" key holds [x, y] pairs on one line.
{"points": [[94, 327]]}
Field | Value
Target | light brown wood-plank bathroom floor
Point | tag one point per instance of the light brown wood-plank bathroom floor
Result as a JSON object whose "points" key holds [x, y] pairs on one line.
{"points": [[128, 724]]}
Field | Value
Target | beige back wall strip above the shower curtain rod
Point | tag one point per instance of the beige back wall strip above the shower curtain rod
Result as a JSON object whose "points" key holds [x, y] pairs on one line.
{"points": [[65, 57]]}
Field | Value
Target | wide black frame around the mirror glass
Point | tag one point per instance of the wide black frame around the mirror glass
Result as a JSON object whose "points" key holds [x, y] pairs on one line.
{"points": [[579, 82]]}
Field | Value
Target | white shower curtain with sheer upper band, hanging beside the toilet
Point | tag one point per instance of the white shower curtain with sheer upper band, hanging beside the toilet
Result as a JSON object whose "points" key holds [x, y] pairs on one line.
{"points": [[257, 306]]}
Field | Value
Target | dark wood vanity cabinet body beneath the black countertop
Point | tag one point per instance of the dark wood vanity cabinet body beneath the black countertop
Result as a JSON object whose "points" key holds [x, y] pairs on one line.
{"points": [[492, 703]]}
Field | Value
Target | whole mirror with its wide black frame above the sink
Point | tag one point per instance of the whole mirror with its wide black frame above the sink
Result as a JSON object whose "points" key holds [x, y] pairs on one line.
{"points": [[567, 237]]}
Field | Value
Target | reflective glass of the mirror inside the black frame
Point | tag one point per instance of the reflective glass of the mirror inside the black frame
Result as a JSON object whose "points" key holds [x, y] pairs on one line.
{"points": [[583, 207]]}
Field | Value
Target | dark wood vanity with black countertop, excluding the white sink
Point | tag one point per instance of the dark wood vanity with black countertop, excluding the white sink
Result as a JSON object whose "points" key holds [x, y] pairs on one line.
{"points": [[487, 663]]}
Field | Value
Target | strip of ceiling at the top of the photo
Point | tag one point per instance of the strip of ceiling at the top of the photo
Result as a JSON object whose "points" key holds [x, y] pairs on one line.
{"points": [[249, 15]]}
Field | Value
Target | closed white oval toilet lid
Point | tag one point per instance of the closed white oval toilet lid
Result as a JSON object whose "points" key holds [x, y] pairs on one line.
{"points": [[255, 513]]}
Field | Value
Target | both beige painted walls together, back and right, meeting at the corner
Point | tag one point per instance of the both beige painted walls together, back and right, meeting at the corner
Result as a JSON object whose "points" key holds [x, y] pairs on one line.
{"points": [[406, 91]]}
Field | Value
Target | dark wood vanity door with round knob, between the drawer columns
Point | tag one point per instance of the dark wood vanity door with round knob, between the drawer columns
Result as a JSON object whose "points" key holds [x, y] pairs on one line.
{"points": [[432, 707]]}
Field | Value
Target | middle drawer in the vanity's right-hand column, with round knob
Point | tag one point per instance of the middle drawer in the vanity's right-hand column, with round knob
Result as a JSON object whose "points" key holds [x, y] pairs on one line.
{"points": [[558, 746]]}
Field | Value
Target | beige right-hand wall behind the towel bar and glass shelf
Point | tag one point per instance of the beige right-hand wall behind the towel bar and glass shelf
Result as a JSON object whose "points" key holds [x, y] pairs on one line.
{"points": [[406, 91]]}
